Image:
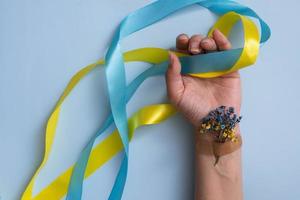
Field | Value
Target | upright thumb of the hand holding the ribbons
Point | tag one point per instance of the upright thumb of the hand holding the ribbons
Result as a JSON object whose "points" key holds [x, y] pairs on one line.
{"points": [[175, 86]]}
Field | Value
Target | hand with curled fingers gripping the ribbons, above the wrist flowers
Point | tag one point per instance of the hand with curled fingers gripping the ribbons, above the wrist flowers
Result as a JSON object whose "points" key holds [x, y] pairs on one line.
{"points": [[195, 97]]}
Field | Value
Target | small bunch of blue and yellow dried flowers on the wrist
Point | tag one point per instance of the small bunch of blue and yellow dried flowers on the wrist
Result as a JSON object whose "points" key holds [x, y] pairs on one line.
{"points": [[221, 123]]}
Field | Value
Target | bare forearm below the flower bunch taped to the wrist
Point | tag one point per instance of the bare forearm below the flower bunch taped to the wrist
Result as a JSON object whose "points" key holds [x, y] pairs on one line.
{"points": [[222, 181]]}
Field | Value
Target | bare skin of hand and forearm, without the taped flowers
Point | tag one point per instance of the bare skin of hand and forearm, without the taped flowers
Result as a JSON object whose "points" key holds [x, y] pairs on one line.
{"points": [[195, 97]]}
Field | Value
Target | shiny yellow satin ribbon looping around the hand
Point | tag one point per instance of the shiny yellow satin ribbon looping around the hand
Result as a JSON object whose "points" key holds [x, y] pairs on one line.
{"points": [[148, 115]]}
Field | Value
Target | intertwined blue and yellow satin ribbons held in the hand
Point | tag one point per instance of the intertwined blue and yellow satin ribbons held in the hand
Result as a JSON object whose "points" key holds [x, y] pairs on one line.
{"points": [[204, 66]]}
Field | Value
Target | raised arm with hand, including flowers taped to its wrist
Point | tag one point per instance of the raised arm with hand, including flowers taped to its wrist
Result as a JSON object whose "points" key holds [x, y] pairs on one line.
{"points": [[196, 98]]}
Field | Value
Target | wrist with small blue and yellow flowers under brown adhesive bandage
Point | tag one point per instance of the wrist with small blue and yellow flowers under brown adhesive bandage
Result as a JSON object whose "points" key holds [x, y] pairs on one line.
{"points": [[218, 133]]}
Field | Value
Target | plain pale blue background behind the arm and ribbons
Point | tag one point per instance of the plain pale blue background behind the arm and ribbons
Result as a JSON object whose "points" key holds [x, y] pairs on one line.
{"points": [[43, 43]]}
